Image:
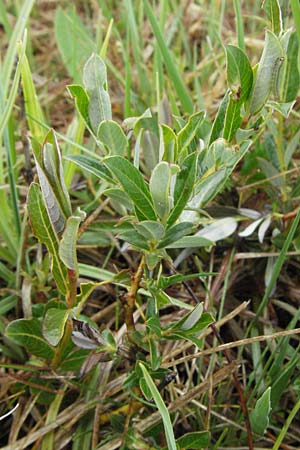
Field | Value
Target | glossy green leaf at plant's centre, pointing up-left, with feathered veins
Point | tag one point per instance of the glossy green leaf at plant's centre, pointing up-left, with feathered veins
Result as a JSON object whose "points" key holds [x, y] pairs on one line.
{"points": [[133, 184]]}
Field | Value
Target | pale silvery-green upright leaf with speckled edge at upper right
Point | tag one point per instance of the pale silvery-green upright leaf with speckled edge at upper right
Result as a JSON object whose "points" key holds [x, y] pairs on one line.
{"points": [[267, 72]]}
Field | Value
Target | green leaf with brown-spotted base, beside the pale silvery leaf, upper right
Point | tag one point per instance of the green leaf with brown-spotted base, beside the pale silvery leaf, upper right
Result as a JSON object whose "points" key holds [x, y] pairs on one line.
{"points": [[239, 73]]}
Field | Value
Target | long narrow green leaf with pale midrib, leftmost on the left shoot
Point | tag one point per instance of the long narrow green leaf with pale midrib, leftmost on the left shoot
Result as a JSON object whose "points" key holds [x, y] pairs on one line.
{"points": [[42, 229]]}
